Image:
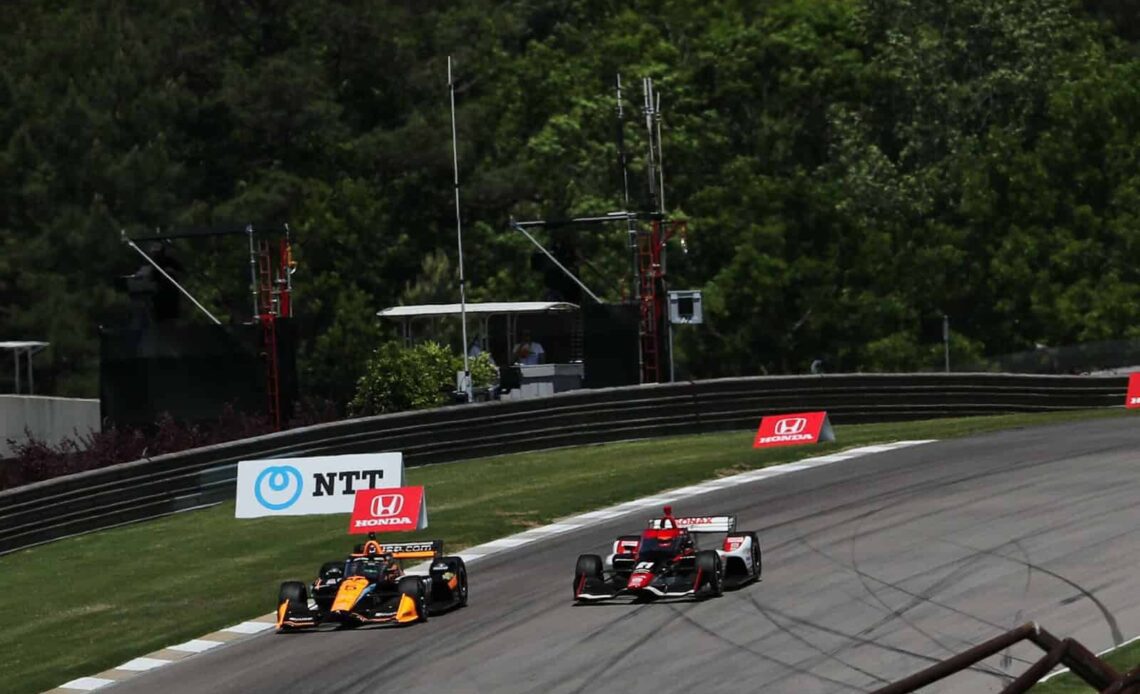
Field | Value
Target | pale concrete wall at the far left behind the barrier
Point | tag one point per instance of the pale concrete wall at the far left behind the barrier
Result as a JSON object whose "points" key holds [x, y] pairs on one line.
{"points": [[48, 419]]}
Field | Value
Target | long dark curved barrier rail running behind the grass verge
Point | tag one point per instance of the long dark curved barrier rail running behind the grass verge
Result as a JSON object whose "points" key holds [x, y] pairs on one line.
{"points": [[165, 485]]}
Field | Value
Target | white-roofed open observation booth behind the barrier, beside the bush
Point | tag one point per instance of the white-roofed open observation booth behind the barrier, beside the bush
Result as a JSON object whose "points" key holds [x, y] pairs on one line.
{"points": [[496, 328]]}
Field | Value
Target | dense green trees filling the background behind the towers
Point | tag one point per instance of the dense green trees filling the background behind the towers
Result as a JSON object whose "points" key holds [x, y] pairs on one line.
{"points": [[851, 169]]}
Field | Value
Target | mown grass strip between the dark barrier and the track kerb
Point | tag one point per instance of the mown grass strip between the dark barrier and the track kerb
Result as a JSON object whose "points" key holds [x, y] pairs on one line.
{"points": [[94, 602]]}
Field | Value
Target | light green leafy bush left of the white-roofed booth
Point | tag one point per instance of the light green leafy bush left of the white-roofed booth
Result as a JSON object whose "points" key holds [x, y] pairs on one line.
{"points": [[401, 379]]}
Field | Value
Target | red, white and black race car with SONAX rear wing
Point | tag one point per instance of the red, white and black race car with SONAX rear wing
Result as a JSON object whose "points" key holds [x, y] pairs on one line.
{"points": [[664, 561]]}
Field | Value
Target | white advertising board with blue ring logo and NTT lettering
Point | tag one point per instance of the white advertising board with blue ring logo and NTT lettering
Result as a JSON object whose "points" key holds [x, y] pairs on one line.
{"points": [[323, 485]]}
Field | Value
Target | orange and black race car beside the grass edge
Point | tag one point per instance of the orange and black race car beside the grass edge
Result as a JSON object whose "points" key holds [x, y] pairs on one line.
{"points": [[371, 587]]}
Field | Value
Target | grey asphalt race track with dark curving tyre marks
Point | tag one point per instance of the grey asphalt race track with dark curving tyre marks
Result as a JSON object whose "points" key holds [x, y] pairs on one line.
{"points": [[874, 570]]}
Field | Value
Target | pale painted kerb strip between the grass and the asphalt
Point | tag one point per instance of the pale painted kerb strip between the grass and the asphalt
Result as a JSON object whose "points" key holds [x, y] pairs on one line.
{"points": [[266, 623]]}
